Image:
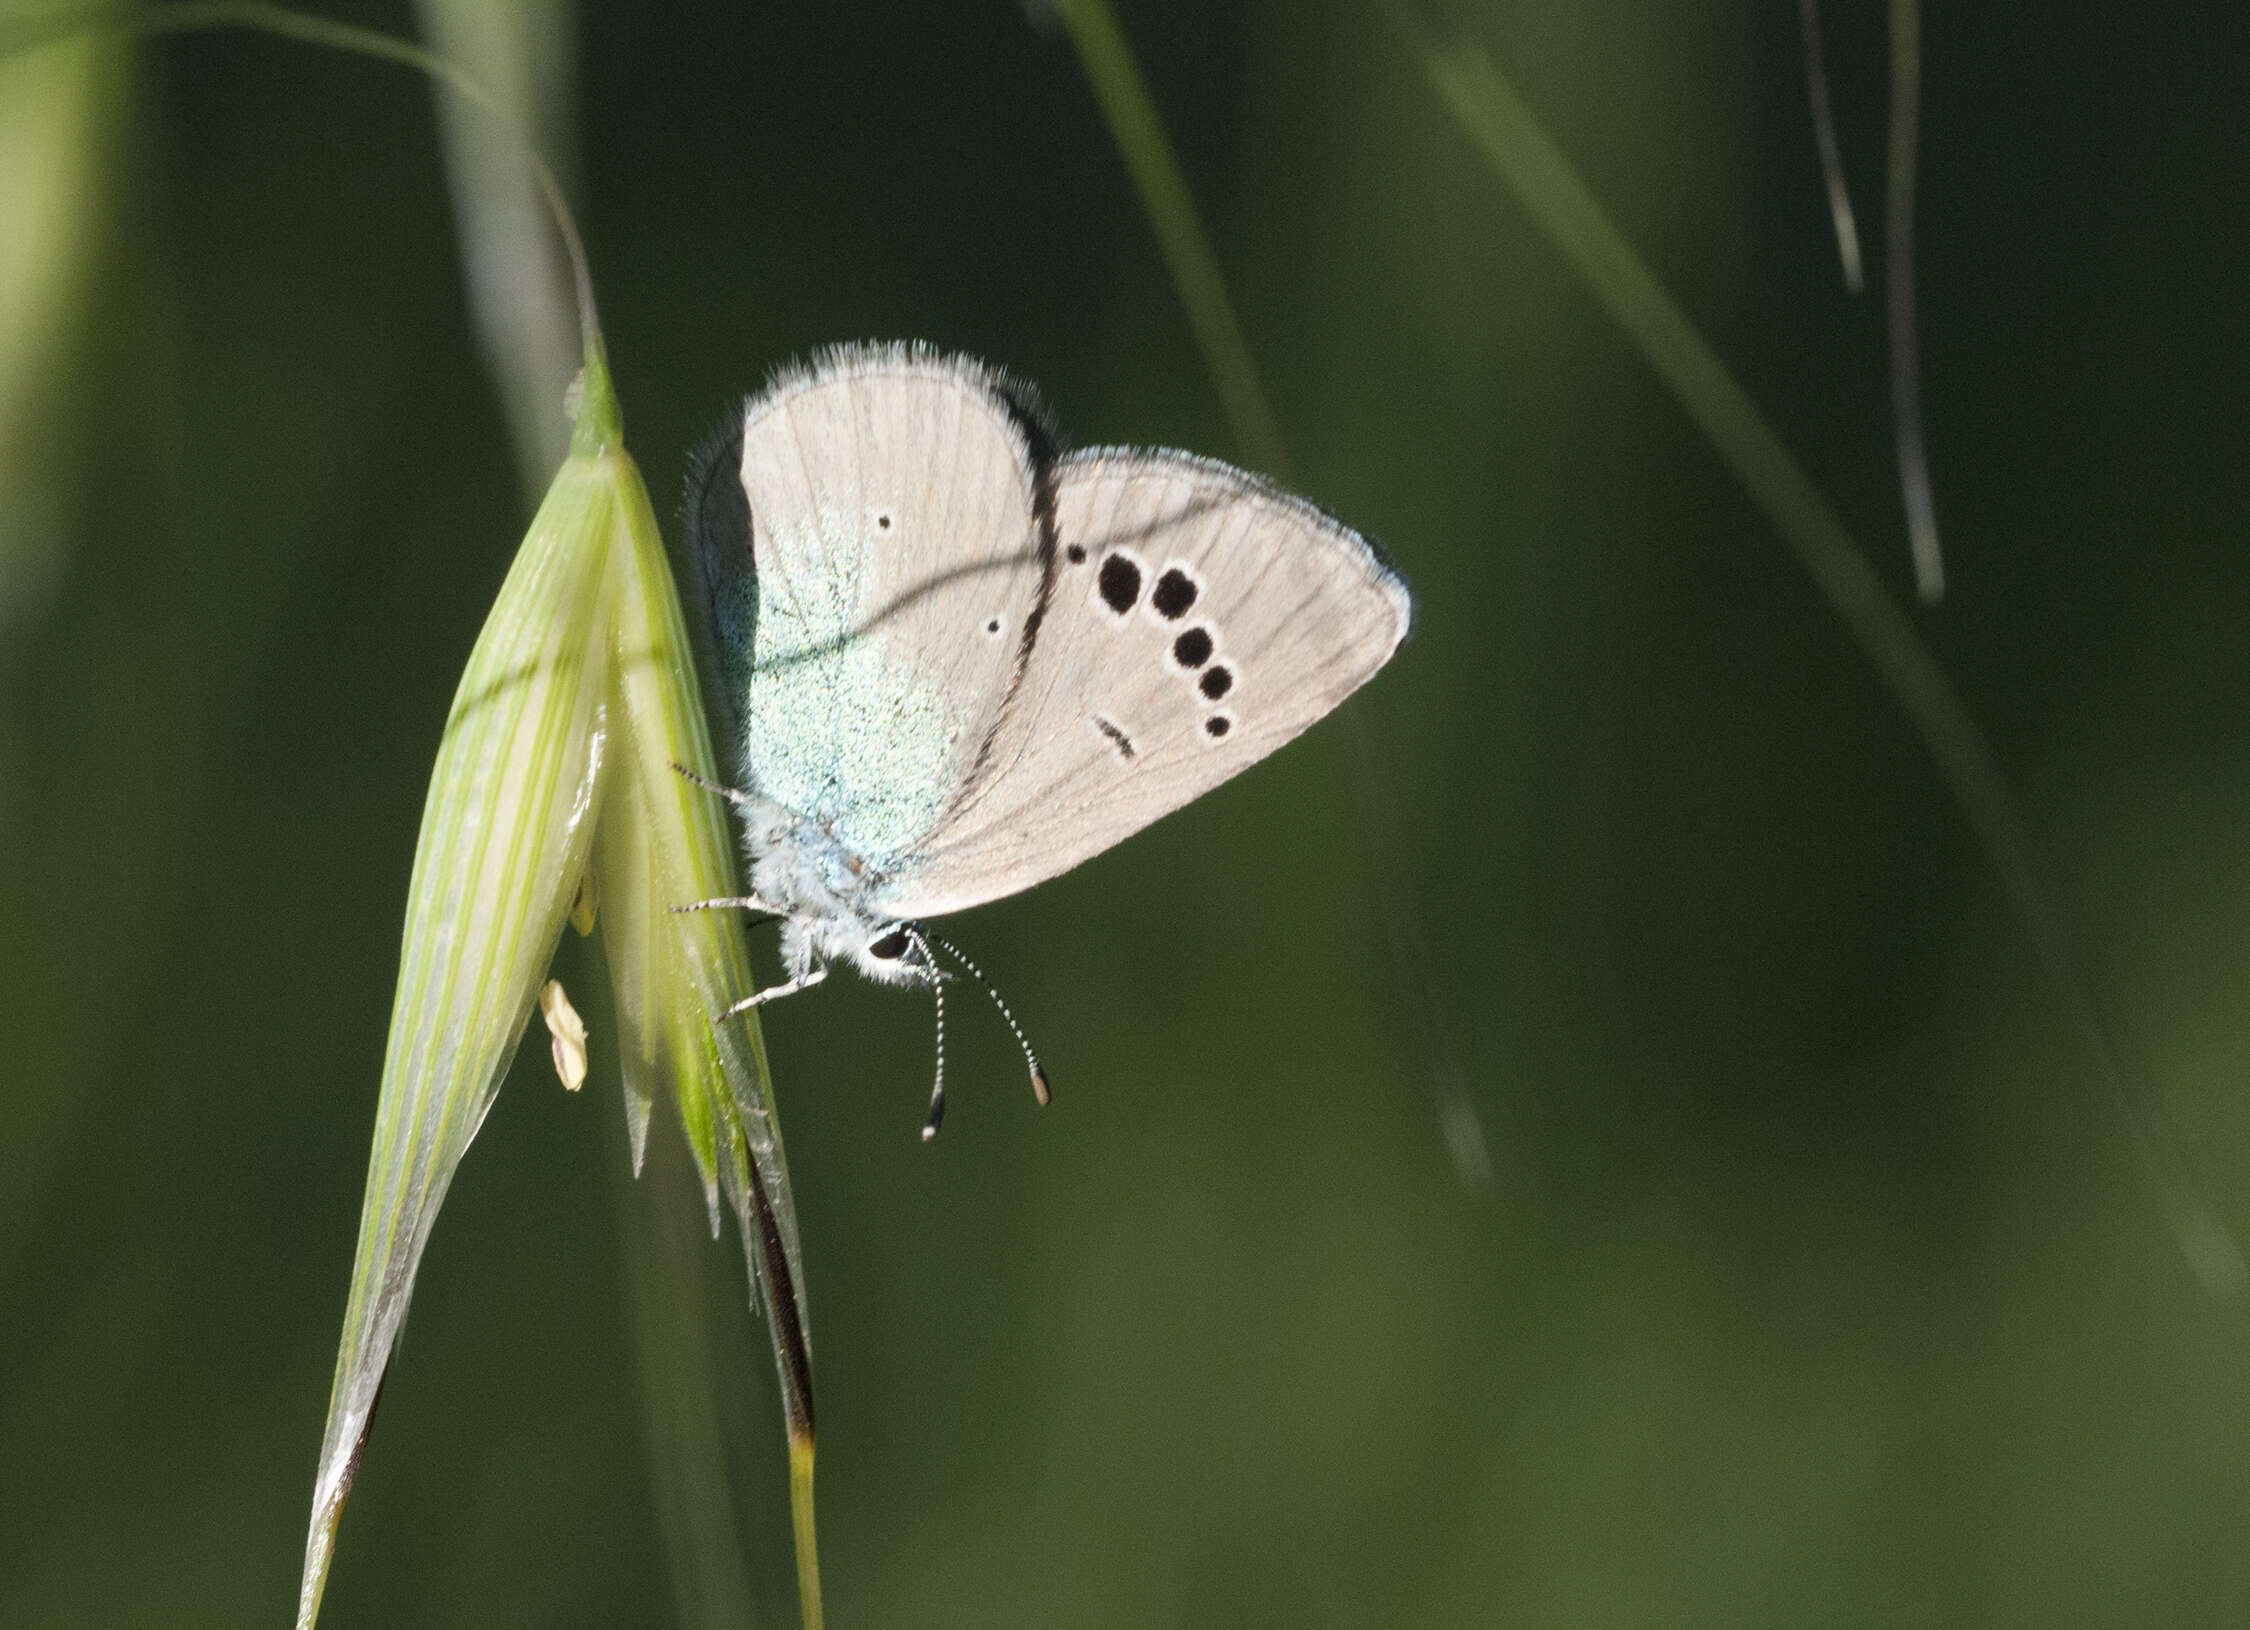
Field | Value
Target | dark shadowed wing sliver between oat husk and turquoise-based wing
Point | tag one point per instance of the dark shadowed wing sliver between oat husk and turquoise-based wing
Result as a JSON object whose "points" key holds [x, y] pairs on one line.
{"points": [[721, 580]]}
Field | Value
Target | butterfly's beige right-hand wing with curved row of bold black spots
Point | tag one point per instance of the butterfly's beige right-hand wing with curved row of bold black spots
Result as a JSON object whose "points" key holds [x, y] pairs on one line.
{"points": [[1198, 620]]}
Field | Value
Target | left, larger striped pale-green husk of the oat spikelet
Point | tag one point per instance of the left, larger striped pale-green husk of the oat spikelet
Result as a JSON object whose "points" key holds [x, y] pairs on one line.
{"points": [[505, 839]]}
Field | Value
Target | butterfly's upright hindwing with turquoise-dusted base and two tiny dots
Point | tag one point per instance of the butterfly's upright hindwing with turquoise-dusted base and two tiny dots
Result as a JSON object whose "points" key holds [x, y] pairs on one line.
{"points": [[899, 557]]}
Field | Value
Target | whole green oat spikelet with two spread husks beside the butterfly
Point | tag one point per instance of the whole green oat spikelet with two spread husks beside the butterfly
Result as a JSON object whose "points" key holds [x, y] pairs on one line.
{"points": [[561, 767]]}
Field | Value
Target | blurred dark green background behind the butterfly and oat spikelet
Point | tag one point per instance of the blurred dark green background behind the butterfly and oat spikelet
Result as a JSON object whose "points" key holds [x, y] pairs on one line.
{"points": [[1815, 1282]]}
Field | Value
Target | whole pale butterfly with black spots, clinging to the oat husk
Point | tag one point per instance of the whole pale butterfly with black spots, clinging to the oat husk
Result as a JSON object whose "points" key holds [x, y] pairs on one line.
{"points": [[957, 661]]}
